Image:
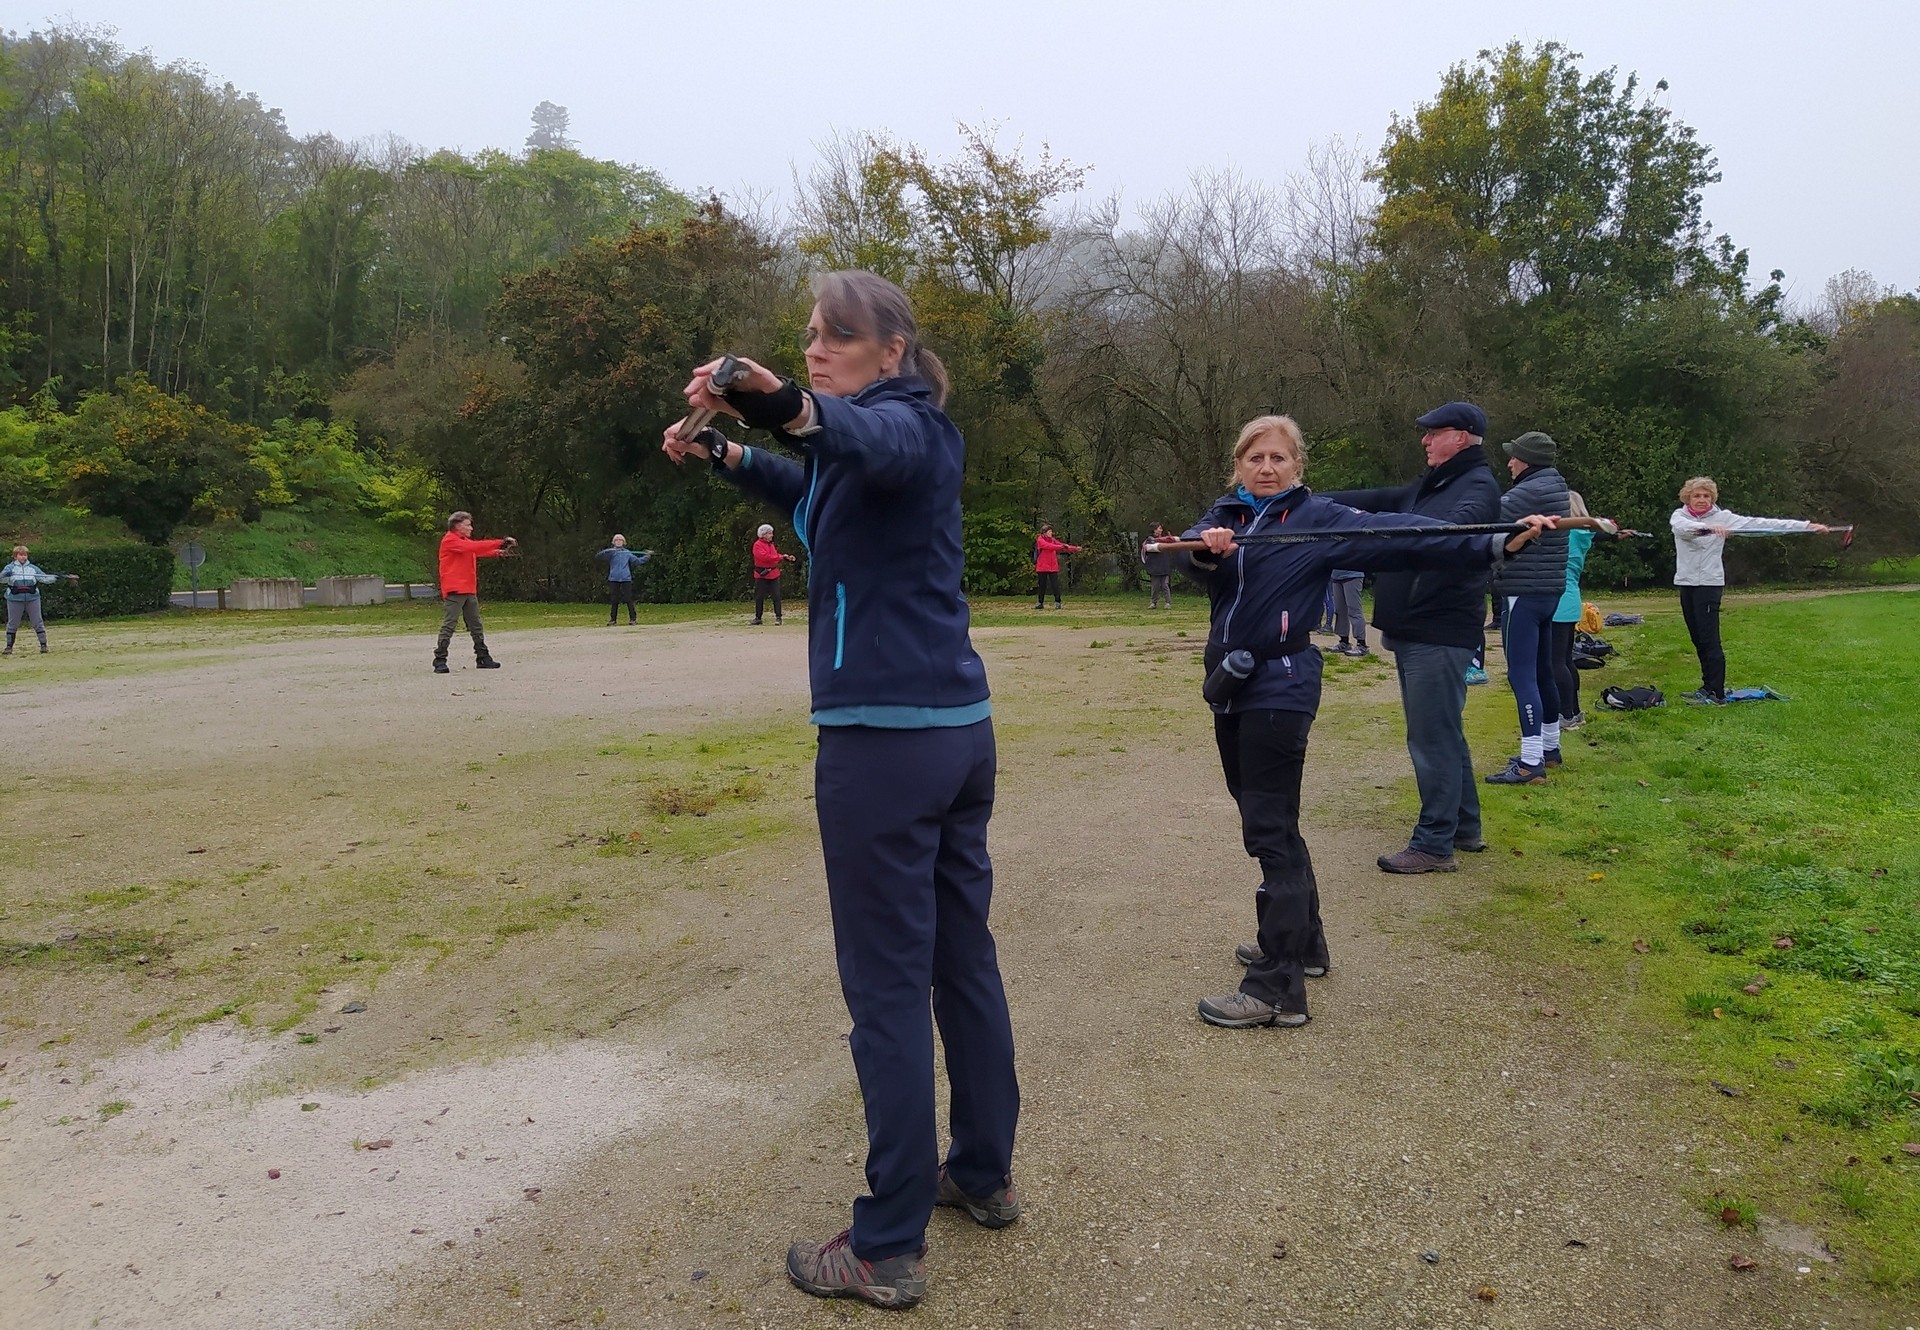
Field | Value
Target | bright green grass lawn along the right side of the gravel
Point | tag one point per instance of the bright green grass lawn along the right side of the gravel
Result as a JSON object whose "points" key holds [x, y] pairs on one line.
{"points": [[1737, 891]]}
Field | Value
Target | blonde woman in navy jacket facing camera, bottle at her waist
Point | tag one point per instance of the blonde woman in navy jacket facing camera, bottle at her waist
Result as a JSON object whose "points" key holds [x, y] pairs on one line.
{"points": [[1266, 600]]}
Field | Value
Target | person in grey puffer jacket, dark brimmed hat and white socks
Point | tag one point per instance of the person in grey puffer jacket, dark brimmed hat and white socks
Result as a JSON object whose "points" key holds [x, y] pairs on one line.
{"points": [[1531, 588]]}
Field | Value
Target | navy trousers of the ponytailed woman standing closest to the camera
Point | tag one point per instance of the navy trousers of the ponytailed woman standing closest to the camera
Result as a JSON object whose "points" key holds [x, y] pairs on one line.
{"points": [[903, 824]]}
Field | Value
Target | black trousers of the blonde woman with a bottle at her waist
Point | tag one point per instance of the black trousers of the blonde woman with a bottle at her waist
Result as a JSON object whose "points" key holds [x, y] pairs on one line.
{"points": [[1264, 753]]}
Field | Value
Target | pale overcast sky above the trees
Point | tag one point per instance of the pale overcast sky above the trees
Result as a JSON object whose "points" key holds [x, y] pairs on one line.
{"points": [[1812, 108]]}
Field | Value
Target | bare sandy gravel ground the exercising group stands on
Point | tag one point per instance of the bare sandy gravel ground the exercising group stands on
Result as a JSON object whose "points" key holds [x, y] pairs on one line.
{"points": [[1174, 1176]]}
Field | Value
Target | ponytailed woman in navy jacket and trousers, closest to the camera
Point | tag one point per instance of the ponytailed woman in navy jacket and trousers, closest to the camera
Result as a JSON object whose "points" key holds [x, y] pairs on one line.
{"points": [[903, 784]]}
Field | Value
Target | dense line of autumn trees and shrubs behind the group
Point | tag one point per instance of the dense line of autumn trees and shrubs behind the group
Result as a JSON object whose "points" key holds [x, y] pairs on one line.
{"points": [[203, 316]]}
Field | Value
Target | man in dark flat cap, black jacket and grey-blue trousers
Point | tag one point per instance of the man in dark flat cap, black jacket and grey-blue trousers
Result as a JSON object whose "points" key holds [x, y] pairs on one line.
{"points": [[1431, 623]]}
